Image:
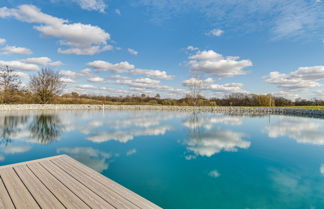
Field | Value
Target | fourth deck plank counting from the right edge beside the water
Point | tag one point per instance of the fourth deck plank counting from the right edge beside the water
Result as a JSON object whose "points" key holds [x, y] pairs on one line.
{"points": [[62, 193]]}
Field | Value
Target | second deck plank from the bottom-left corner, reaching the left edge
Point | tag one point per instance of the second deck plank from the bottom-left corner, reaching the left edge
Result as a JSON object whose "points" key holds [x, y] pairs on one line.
{"points": [[21, 197]]}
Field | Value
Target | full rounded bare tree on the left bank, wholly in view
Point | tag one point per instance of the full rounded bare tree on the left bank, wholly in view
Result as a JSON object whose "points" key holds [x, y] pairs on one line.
{"points": [[46, 85]]}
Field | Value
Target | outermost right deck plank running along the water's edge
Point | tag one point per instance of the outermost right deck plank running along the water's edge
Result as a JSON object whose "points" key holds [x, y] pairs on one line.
{"points": [[135, 198]]}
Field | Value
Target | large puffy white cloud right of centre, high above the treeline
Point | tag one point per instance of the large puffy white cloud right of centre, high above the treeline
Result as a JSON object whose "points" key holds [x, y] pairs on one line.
{"points": [[212, 63]]}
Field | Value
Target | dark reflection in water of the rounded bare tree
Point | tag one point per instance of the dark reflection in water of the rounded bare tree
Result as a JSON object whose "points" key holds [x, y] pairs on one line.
{"points": [[46, 128]]}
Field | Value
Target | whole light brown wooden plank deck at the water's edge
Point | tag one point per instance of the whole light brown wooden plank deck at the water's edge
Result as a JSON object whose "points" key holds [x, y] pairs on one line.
{"points": [[62, 182]]}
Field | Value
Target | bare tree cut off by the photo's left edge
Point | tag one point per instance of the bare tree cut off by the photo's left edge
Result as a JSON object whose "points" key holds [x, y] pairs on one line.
{"points": [[9, 83]]}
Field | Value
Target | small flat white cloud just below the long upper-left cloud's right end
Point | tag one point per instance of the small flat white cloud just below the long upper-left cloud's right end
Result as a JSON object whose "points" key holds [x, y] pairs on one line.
{"points": [[103, 66]]}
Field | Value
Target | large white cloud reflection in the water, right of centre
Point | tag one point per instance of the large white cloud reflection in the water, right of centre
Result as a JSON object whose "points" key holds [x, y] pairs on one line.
{"points": [[205, 139]]}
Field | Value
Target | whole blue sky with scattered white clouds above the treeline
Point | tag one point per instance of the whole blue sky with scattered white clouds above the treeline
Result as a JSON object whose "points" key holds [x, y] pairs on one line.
{"points": [[114, 47]]}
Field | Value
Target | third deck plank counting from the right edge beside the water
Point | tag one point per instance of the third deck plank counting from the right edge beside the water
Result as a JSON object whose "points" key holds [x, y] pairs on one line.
{"points": [[79, 189]]}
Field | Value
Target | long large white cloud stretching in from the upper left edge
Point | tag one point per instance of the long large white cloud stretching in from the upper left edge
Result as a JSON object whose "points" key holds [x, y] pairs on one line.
{"points": [[77, 38]]}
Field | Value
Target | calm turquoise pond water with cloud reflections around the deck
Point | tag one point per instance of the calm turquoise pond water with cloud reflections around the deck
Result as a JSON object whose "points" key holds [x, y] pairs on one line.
{"points": [[182, 160]]}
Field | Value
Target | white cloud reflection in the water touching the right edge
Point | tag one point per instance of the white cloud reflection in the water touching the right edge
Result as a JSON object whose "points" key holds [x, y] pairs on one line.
{"points": [[300, 129]]}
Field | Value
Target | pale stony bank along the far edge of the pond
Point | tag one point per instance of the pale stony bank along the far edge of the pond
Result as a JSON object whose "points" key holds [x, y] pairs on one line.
{"points": [[221, 109]]}
